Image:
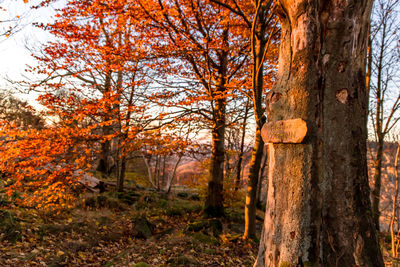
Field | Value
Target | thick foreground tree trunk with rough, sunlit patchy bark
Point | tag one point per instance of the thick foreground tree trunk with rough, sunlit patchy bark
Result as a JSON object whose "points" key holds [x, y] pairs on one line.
{"points": [[318, 207]]}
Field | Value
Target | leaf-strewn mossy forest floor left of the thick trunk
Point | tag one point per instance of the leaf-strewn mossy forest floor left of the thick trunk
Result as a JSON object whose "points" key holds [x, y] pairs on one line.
{"points": [[130, 229]]}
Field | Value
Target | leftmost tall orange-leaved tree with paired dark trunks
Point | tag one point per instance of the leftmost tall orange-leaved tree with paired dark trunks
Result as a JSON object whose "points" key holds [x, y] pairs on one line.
{"points": [[97, 58]]}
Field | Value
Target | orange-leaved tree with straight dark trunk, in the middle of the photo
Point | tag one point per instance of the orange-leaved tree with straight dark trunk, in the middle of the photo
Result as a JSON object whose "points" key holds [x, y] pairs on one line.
{"points": [[206, 53]]}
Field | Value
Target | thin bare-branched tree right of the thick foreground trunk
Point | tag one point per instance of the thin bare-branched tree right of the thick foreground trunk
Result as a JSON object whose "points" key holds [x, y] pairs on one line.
{"points": [[385, 100]]}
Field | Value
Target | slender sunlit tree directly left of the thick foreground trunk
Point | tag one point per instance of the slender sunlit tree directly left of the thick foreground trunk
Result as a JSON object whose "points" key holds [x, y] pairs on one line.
{"points": [[259, 20]]}
